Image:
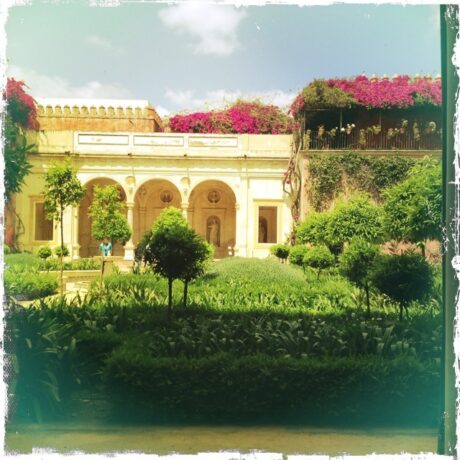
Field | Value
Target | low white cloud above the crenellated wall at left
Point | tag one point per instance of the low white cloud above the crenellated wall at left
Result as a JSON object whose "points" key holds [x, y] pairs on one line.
{"points": [[53, 86]]}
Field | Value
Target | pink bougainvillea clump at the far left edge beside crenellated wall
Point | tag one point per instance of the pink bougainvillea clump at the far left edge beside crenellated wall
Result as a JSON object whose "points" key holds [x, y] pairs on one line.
{"points": [[20, 105]]}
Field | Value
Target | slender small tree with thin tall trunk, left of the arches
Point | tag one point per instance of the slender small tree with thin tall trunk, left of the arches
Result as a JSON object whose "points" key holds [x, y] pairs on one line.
{"points": [[62, 189]]}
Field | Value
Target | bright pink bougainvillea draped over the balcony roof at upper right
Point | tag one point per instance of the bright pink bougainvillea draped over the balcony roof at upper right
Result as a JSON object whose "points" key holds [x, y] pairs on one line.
{"points": [[399, 92]]}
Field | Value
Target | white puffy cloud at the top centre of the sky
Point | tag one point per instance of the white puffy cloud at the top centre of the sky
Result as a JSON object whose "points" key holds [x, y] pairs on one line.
{"points": [[213, 26]]}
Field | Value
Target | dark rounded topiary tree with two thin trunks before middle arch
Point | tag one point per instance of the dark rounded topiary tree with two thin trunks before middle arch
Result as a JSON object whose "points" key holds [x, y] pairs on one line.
{"points": [[174, 250]]}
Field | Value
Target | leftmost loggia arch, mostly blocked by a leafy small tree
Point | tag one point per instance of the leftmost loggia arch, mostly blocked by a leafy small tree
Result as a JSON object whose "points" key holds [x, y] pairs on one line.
{"points": [[88, 245]]}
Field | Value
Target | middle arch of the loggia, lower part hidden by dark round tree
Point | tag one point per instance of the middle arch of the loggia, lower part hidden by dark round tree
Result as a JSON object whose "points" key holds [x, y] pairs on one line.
{"points": [[151, 198]]}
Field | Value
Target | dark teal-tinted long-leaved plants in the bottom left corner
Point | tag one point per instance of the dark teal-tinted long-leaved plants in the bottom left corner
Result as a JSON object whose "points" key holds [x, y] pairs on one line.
{"points": [[41, 350]]}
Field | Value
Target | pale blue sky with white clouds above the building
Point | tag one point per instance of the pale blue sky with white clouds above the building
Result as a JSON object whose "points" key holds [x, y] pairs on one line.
{"points": [[196, 56]]}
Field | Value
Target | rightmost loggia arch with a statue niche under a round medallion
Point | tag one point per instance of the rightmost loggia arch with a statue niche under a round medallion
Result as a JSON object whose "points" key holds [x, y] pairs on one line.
{"points": [[212, 213]]}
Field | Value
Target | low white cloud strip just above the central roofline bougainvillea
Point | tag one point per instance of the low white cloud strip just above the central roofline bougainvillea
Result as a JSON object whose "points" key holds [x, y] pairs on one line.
{"points": [[185, 100]]}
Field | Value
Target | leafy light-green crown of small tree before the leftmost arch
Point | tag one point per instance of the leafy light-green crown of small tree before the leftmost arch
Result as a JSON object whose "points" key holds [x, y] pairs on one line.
{"points": [[108, 219]]}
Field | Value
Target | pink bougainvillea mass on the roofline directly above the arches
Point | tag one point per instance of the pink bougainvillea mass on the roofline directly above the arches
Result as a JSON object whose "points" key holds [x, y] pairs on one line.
{"points": [[241, 118]]}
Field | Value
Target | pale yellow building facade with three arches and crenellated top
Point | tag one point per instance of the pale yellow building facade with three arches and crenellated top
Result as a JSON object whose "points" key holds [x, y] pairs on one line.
{"points": [[229, 187]]}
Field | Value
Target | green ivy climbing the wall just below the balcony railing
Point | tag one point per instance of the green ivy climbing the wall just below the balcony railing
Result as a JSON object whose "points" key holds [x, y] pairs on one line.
{"points": [[332, 174]]}
